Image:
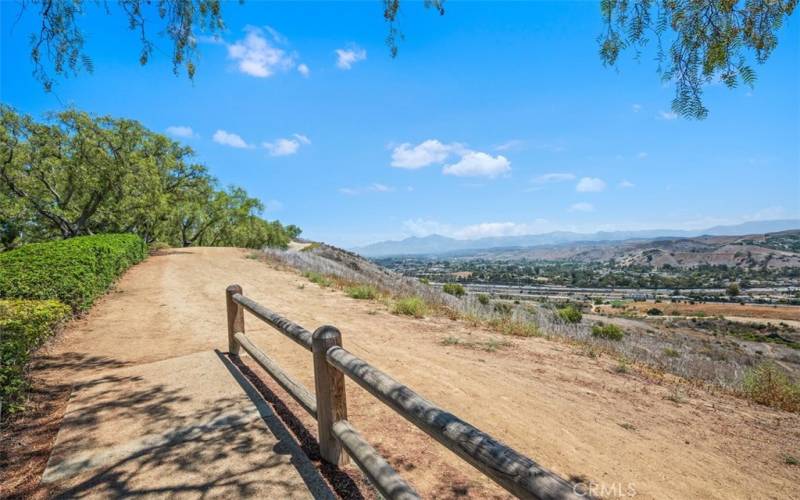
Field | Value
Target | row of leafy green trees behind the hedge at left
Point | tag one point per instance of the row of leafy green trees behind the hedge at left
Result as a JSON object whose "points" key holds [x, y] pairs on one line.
{"points": [[75, 174]]}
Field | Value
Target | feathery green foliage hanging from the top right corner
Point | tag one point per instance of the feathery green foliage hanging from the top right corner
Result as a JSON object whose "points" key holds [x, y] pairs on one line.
{"points": [[698, 41]]}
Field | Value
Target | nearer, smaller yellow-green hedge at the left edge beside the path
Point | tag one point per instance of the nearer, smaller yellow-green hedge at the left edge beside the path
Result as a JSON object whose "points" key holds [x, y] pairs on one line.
{"points": [[24, 326]]}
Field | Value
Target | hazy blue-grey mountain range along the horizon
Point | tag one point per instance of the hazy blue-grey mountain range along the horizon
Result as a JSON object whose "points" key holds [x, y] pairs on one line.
{"points": [[438, 245]]}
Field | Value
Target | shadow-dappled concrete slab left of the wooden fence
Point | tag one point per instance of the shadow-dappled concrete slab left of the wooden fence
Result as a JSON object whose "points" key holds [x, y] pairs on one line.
{"points": [[125, 436]]}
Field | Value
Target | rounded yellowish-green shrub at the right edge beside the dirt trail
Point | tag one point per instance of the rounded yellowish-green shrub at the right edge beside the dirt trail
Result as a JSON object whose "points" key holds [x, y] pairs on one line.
{"points": [[768, 385]]}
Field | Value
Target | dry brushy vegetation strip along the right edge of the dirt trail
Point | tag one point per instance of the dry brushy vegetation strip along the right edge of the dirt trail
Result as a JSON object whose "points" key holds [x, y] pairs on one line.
{"points": [[718, 364]]}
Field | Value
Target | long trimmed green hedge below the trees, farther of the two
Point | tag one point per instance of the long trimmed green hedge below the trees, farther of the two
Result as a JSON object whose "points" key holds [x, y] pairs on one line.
{"points": [[75, 271]]}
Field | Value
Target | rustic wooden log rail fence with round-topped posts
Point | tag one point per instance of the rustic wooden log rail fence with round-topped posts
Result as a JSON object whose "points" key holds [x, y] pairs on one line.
{"points": [[513, 471]]}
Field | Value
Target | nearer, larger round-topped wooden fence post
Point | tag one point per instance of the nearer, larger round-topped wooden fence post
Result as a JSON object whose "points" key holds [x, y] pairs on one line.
{"points": [[331, 397]]}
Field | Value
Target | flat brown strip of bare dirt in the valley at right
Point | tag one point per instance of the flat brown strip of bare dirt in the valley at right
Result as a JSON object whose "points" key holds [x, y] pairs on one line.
{"points": [[761, 311]]}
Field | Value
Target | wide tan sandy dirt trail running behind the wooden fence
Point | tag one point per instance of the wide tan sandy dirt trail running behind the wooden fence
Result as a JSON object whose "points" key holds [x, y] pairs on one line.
{"points": [[623, 433]]}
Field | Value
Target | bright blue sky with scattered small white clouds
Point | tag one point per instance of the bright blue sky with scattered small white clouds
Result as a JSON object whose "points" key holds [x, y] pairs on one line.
{"points": [[494, 119]]}
